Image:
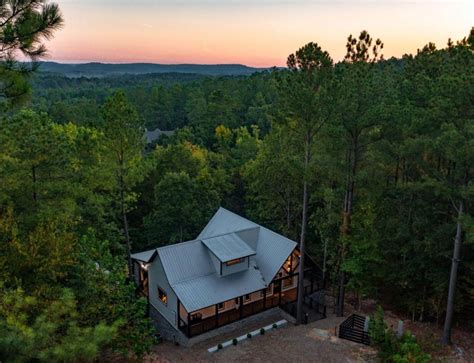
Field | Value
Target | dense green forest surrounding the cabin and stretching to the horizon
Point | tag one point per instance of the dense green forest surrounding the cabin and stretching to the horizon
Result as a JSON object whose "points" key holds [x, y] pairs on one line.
{"points": [[366, 162]]}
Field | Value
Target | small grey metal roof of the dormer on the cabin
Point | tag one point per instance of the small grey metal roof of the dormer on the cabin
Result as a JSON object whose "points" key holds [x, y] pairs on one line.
{"points": [[228, 247]]}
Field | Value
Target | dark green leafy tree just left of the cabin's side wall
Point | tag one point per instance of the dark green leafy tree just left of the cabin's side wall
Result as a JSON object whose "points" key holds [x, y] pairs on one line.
{"points": [[104, 293]]}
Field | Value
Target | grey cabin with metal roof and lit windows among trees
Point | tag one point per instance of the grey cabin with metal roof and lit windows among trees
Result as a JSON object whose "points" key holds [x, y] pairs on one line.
{"points": [[235, 268]]}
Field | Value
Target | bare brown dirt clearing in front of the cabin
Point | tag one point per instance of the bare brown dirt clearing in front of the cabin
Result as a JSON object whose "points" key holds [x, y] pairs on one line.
{"points": [[314, 342]]}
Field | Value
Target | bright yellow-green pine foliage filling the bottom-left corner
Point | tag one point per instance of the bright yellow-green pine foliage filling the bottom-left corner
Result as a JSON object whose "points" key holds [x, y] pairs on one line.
{"points": [[51, 333]]}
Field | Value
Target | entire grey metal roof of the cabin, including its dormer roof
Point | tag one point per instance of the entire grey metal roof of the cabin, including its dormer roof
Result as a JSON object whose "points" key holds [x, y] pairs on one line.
{"points": [[189, 269]]}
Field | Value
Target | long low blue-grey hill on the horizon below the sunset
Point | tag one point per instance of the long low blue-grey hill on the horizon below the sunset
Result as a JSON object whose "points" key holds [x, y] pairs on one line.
{"points": [[109, 69]]}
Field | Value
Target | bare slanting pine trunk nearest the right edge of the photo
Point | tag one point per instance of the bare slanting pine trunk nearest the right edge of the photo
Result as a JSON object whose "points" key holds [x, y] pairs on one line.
{"points": [[452, 279]]}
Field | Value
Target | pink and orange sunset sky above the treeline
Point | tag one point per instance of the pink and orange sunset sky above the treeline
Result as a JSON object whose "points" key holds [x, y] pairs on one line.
{"points": [[258, 33]]}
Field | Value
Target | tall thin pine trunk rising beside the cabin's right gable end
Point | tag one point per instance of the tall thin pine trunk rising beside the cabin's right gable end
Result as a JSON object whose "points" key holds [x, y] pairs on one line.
{"points": [[299, 306]]}
